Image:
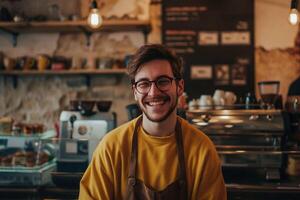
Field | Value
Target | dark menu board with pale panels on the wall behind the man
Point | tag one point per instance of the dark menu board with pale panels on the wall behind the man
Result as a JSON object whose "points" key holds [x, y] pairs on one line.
{"points": [[216, 41]]}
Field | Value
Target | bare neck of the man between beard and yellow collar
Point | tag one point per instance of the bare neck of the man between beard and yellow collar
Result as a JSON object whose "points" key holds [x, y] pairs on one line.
{"points": [[164, 128]]}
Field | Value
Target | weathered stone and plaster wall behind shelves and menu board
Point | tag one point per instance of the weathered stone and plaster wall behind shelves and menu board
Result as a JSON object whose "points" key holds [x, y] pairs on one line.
{"points": [[40, 98]]}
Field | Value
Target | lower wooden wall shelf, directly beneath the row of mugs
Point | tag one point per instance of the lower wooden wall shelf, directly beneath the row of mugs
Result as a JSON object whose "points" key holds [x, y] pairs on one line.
{"points": [[63, 72]]}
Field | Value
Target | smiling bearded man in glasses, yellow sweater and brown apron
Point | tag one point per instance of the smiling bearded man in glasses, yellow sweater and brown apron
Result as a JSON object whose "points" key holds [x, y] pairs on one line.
{"points": [[158, 155]]}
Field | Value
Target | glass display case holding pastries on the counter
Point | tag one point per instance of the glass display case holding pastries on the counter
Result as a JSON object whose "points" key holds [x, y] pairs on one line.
{"points": [[27, 159]]}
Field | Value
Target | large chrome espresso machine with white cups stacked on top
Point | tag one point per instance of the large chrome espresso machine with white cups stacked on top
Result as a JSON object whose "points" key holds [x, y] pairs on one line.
{"points": [[249, 142]]}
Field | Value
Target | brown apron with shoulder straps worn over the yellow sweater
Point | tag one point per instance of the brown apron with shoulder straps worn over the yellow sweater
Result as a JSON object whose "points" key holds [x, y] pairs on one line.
{"points": [[137, 190]]}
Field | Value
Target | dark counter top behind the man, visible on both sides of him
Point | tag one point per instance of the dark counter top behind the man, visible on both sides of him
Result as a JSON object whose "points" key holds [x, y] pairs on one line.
{"points": [[278, 190]]}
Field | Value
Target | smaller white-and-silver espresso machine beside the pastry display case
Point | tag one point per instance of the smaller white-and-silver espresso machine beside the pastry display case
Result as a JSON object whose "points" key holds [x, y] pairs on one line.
{"points": [[79, 136]]}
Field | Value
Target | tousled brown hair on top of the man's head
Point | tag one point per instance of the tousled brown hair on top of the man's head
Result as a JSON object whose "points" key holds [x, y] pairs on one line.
{"points": [[151, 52]]}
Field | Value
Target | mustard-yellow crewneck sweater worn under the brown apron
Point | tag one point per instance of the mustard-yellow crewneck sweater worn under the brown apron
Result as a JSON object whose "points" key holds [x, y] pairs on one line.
{"points": [[106, 176]]}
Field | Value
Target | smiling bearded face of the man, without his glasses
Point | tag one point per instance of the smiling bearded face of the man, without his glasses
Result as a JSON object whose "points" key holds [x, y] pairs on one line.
{"points": [[156, 104]]}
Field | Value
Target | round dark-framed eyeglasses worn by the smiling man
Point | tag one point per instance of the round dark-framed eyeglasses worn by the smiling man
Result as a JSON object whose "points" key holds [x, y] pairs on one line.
{"points": [[163, 83]]}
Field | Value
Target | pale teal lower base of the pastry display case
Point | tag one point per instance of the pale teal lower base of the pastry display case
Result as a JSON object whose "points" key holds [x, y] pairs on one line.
{"points": [[27, 176]]}
